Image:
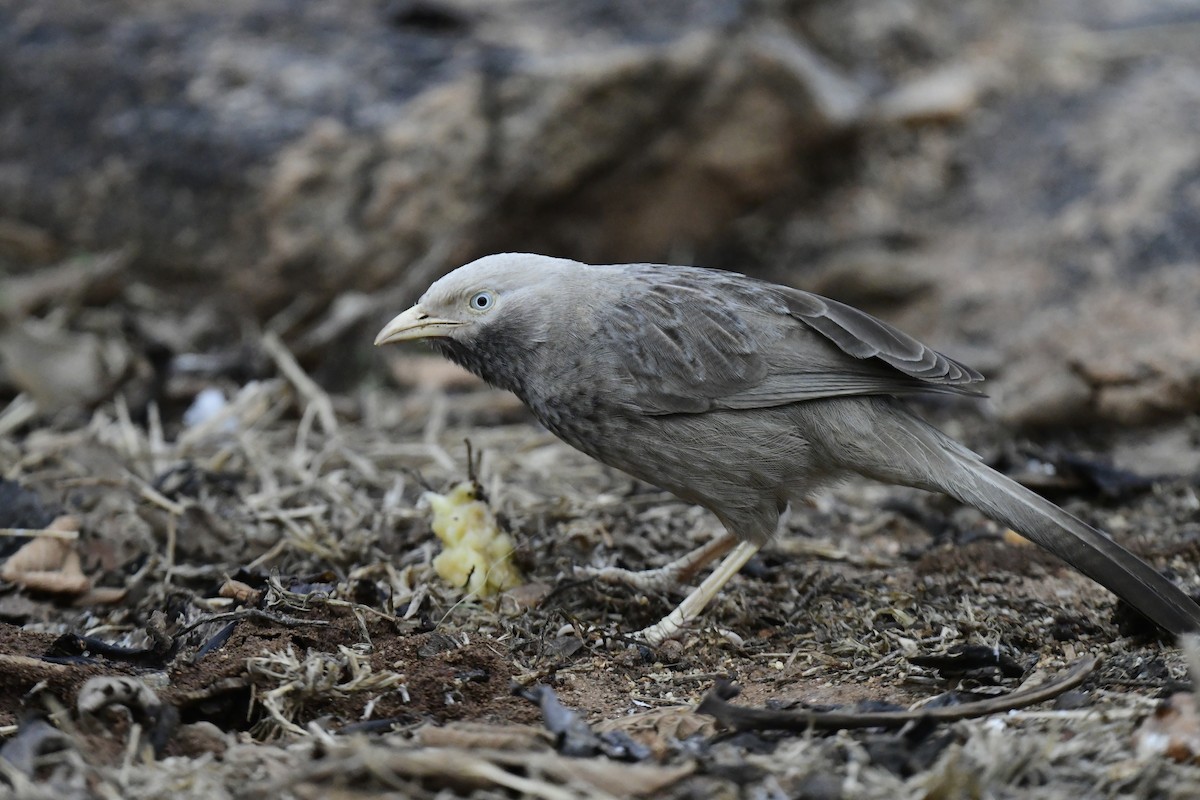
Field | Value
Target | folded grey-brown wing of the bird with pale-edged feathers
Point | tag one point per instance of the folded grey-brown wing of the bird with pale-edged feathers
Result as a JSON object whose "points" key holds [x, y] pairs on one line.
{"points": [[704, 340]]}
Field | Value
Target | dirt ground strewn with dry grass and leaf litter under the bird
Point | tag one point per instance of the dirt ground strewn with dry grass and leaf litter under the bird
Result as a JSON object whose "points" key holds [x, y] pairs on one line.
{"points": [[267, 581]]}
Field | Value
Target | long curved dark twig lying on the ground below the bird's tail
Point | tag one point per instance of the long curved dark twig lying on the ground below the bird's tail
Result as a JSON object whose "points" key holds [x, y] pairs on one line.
{"points": [[742, 719]]}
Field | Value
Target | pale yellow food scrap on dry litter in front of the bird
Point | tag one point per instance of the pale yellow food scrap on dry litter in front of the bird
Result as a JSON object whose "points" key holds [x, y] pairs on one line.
{"points": [[478, 556]]}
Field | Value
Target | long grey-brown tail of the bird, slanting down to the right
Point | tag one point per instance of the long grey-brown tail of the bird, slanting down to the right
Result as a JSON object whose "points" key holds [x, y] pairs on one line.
{"points": [[919, 455]]}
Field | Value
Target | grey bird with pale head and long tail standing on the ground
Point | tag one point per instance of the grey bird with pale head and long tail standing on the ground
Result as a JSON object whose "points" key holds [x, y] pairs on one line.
{"points": [[741, 396]]}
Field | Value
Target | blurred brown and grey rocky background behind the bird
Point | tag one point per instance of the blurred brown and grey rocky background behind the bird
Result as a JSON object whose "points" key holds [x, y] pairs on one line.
{"points": [[1019, 183]]}
